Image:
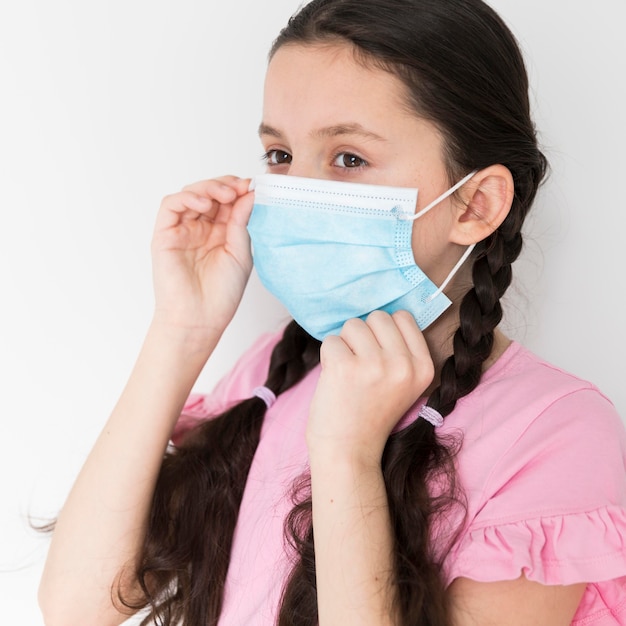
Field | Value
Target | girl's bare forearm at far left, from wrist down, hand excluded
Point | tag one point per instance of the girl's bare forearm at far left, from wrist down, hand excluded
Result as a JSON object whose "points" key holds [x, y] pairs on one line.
{"points": [[102, 522]]}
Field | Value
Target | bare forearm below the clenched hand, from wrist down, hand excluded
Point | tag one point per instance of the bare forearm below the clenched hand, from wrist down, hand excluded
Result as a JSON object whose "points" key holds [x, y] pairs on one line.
{"points": [[353, 542]]}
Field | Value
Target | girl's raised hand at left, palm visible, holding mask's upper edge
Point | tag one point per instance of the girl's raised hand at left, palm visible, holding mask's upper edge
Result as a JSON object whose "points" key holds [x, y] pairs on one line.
{"points": [[201, 256]]}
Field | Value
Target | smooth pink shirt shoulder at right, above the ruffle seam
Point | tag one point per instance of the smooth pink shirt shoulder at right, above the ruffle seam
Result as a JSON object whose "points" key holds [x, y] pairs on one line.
{"points": [[531, 428]]}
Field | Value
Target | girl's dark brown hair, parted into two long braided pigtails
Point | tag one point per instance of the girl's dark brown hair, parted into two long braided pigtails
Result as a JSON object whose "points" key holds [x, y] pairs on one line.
{"points": [[463, 72]]}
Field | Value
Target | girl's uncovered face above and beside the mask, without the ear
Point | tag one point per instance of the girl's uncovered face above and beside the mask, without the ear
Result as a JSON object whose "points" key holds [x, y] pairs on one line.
{"points": [[325, 115]]}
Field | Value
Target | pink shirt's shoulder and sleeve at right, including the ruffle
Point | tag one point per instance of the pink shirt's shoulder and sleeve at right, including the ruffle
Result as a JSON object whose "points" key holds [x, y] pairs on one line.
{"points": [[543, 467]]}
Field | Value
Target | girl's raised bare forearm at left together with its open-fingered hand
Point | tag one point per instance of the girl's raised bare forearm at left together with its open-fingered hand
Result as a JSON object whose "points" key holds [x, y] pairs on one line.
{"points": [[201, 263]]}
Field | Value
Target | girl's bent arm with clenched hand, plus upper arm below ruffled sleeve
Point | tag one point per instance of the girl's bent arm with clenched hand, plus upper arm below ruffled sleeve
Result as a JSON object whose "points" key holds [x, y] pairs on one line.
{"points": [[369, 379]]}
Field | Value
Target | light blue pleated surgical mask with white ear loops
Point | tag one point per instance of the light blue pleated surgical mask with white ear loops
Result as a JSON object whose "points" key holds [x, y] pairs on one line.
{"points": [[331, 251]]}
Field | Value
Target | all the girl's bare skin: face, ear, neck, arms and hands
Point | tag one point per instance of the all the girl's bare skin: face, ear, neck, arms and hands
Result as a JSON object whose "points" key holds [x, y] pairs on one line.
{"points": [[322, 112]]}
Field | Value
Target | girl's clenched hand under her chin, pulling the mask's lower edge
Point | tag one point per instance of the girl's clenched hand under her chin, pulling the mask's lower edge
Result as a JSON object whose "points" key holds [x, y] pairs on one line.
{"points": [[372, 373]]}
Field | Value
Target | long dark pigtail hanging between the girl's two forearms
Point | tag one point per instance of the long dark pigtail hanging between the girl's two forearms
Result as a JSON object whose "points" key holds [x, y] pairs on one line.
{"points": [[184, 559]]}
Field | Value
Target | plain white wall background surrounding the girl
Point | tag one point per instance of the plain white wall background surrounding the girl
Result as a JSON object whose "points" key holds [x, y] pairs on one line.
{"points": [[106, 107]]}
